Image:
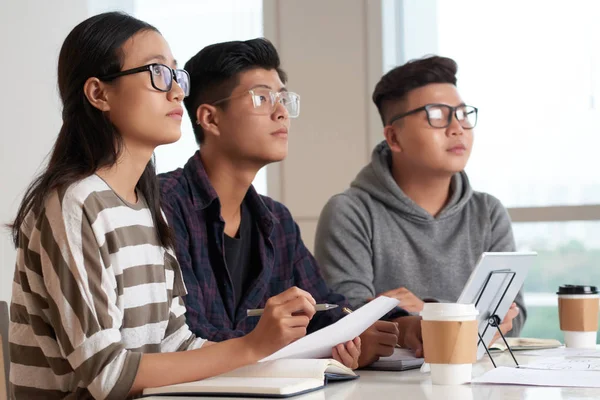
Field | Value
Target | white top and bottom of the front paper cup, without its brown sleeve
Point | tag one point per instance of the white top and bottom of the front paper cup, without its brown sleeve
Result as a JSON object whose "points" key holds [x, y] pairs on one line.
{"points": [[450, 374]]}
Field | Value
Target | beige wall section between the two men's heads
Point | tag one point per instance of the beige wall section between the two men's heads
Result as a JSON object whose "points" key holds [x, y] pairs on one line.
{"points": [[332, 51]]}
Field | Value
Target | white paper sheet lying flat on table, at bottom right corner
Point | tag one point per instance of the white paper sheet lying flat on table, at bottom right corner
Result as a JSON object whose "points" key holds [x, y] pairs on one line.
{"points": [[537, 377]]}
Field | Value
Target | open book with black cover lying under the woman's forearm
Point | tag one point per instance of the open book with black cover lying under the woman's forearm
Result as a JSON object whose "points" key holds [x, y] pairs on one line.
{"points": [[279, 378]]}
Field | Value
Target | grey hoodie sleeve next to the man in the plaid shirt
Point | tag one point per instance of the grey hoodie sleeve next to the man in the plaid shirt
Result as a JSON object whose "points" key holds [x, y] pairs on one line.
{"points": [[344, 253]]}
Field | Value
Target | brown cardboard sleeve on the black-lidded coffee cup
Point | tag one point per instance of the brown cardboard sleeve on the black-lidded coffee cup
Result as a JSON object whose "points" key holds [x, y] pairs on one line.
{"points": [[578, 315]]}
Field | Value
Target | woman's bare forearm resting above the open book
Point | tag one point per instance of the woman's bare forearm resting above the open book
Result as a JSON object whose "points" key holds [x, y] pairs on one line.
{"points": [[210, 360]]}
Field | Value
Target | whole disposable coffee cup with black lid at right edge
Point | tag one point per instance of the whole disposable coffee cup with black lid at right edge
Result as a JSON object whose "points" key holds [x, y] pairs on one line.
{"points": [[578, 315]]}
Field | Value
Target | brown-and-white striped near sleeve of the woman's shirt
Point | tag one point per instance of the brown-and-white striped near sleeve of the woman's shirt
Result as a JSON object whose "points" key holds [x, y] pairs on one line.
{"points": [[82, 301]]}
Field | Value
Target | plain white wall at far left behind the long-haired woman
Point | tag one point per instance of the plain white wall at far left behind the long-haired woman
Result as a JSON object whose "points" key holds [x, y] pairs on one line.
{"points": [[31, 33]]}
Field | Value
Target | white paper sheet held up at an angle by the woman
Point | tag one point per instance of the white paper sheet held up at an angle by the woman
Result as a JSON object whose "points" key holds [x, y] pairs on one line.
{"points": [[320, 343]]}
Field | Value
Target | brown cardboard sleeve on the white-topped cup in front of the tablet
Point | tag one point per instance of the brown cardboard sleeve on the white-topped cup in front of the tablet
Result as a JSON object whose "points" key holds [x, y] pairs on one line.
{"points": [[450, 342]]}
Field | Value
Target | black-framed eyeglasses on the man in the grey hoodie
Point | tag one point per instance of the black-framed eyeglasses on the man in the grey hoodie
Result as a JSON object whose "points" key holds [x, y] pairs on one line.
{"points": [[440, 115]]}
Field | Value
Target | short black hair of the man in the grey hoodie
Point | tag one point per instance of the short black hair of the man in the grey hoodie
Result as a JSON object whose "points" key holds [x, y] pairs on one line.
{"points": [[396, 84]]}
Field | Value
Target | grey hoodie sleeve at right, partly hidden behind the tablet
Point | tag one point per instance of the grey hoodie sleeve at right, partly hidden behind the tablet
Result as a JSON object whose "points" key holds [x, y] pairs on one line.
{"points": [[503, 240]]}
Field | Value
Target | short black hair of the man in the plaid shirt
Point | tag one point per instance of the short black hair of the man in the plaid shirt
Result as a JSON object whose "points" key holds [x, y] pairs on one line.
{"points": [[214, 72]]}
